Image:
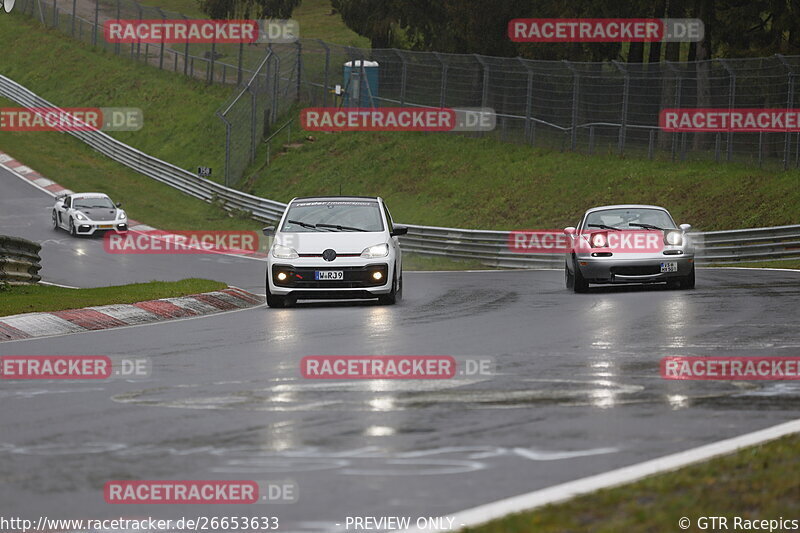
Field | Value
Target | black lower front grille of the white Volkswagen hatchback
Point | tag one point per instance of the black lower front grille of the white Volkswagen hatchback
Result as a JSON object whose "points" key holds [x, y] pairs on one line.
{"points": [[354, 277]]}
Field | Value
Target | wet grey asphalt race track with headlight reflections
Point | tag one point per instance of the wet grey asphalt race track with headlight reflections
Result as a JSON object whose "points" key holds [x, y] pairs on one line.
{"points": [[577, 389]]}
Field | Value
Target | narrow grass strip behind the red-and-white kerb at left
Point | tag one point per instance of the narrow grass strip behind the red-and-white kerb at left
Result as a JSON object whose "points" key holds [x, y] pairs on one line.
{"points": [[18, 299]]}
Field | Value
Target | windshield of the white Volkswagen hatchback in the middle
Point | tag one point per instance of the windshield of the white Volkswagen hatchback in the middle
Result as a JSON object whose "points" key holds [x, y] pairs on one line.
{"points": [[333, 215]]}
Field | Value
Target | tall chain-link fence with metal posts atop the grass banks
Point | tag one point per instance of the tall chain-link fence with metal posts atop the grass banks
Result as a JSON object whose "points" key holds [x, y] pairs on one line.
{"points": [[608, 107]]}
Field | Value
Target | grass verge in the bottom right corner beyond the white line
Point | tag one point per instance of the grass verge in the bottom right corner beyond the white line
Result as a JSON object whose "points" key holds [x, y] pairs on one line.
{"points": [[754, 483]]}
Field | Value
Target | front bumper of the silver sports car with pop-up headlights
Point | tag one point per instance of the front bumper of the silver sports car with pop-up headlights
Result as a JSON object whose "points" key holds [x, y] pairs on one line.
{"points": [[646, 269]]}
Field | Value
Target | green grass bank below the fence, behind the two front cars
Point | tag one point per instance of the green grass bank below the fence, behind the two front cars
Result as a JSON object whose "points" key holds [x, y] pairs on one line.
{"points": [[448, 180]]}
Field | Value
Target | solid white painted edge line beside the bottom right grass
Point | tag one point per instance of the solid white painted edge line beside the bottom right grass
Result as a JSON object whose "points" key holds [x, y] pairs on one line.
{"points": [[565, 491]]}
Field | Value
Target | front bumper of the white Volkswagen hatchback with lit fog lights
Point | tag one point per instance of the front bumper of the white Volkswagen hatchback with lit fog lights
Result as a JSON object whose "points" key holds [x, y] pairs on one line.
{"points": [[300, 280]]}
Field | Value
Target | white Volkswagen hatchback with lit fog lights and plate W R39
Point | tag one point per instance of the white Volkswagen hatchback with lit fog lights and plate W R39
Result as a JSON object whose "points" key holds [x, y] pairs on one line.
{"points": [[334, 247]]}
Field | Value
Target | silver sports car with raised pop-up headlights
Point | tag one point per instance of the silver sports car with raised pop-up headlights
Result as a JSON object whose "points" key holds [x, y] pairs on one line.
{"points": [[629, 244]]}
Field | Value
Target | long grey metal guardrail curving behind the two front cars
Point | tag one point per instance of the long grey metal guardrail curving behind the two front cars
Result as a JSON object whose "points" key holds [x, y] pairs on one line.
{"points": [[489, 247]]}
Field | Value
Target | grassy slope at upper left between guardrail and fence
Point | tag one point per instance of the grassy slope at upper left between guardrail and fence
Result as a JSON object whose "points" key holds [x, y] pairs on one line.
{"points": [[179, 122]]}
